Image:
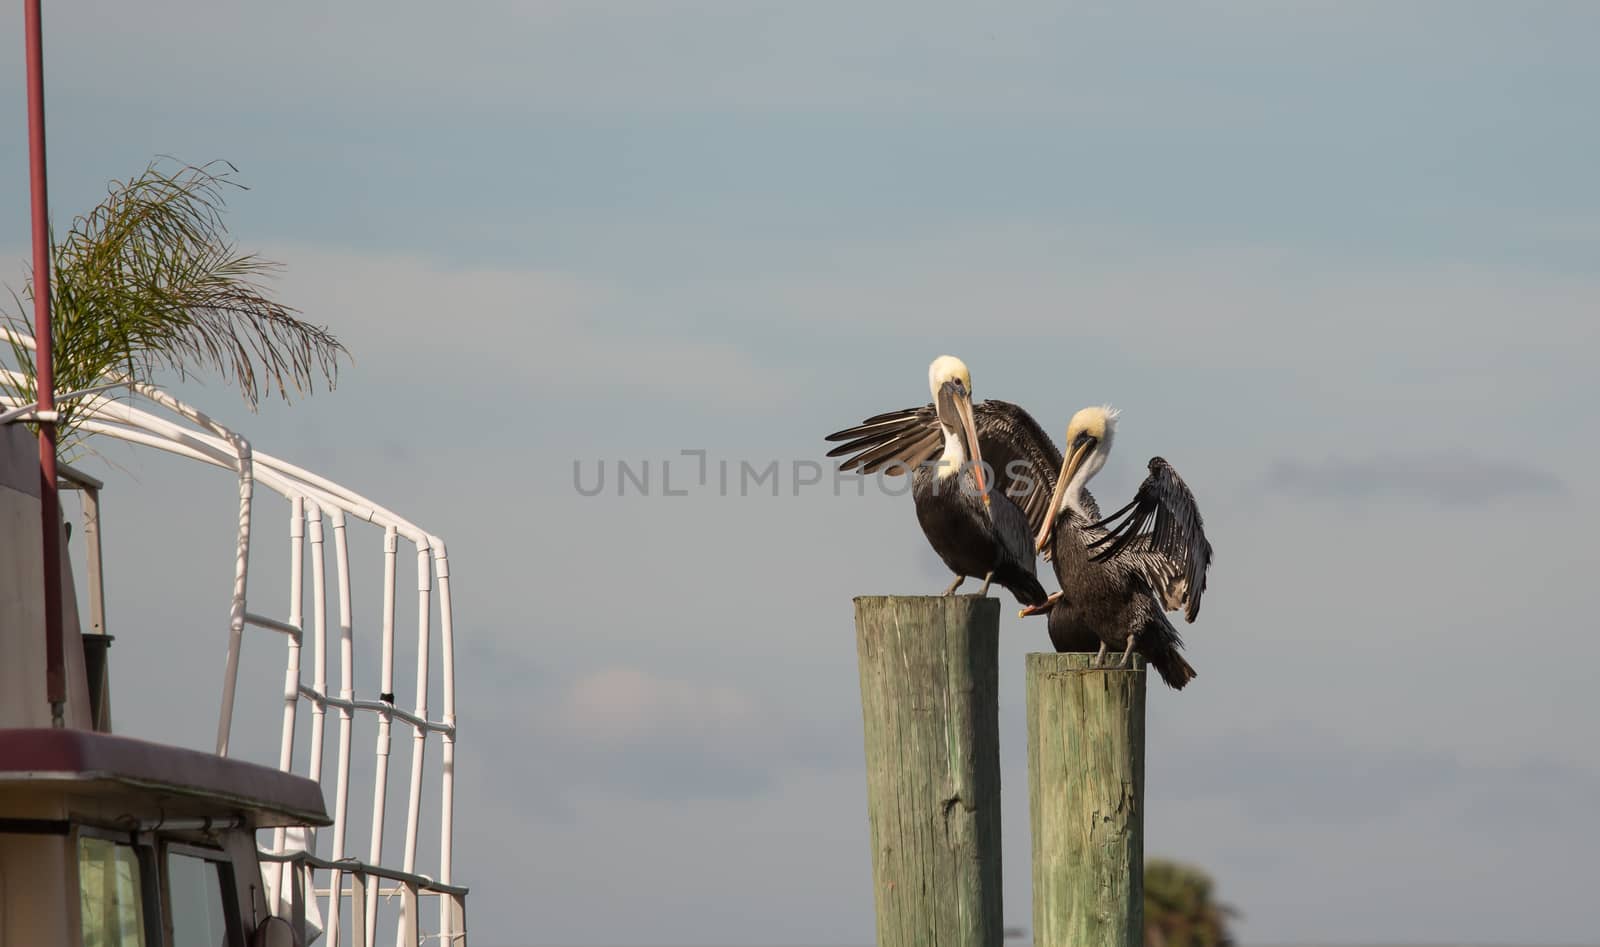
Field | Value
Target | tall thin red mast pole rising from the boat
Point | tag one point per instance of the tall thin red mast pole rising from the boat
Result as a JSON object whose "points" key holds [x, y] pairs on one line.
{"points": [[46, 372]]}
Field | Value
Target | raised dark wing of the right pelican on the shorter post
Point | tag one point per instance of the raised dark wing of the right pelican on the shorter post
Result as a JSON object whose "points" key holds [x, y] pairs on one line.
{"points": [[1174, 556]]}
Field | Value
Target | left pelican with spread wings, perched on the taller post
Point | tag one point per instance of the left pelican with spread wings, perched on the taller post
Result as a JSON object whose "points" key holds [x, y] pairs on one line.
{"points": [[982, 477]]}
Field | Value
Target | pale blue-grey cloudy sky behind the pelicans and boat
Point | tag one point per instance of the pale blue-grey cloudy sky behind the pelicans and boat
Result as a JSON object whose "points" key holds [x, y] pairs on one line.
{"points": [[1337, 262]]}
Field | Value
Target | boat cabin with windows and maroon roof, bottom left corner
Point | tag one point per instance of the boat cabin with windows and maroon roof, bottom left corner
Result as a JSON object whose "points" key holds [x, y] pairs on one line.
{"points": [[118, 842]]}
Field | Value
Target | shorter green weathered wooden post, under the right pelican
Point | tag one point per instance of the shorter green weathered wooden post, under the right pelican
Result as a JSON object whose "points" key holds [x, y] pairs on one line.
{"points": [[1086, 797]]}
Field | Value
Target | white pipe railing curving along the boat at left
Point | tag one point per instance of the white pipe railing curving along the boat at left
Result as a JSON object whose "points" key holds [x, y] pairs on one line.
{"points": [[316, 508]]}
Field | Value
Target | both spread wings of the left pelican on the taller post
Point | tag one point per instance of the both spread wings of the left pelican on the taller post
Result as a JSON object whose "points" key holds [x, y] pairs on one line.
{"points": [[1022, 460]]}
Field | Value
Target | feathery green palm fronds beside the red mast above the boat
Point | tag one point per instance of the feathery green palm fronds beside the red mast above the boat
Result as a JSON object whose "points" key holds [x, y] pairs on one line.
{"points": [[148, 281]]}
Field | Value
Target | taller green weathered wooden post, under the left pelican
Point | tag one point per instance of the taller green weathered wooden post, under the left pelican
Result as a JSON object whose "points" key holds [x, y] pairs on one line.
{"points": [[930, 709]]}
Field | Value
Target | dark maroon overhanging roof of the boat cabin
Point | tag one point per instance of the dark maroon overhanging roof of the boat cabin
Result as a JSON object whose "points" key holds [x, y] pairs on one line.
{"points": [[164, 780]]}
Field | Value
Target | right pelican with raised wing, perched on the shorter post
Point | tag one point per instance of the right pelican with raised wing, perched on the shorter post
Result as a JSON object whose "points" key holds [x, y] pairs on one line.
{"points": [[1121, 573]]}
